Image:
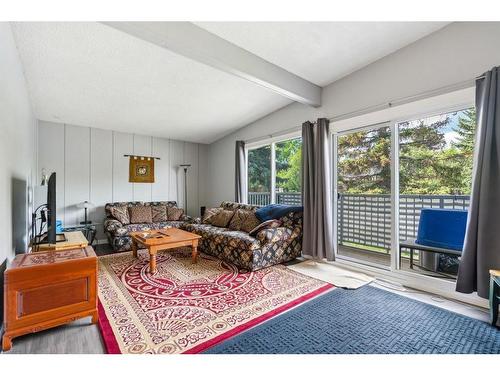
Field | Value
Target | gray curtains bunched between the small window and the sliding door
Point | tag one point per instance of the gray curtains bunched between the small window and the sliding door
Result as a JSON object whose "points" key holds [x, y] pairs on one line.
{"points": [[317, 191]]}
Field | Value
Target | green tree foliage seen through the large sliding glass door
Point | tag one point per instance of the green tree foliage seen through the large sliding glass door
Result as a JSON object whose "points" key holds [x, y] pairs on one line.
{"points": [[428, 164]]}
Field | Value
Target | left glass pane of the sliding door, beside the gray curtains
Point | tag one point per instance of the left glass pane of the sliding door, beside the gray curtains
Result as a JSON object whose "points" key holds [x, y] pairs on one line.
{"points": [[363, 202]]}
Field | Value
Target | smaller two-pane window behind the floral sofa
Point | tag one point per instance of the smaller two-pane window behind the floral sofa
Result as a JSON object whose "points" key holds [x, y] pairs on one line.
{"points": [[274, 173]]}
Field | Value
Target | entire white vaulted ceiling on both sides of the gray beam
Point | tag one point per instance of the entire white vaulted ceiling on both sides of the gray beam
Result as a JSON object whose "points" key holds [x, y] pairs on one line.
{"points": [[93, 75]]}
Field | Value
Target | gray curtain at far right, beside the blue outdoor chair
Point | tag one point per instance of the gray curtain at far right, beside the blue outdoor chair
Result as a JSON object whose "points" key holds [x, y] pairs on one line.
{"points": [[482, 239]]}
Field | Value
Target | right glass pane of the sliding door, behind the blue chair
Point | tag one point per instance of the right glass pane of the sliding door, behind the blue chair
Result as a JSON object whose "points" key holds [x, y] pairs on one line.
{"points": [[435, 171]]}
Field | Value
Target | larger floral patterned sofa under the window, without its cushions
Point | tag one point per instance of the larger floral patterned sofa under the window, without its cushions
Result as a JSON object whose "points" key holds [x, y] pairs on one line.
{"points": [[269, 246]]}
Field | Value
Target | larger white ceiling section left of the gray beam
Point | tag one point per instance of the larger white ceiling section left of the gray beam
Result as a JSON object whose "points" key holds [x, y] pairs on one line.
{"points": [[90, 74]]}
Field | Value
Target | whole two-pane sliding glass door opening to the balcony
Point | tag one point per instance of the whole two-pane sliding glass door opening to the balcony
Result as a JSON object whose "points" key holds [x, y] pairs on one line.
{"points": [[381, 189]]}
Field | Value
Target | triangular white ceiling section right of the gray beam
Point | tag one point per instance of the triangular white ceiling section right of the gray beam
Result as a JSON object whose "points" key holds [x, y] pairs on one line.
{"points": [[322, 52]]}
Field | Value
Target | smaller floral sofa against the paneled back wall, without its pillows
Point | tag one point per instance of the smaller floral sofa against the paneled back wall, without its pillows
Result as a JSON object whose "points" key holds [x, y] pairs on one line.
{"points": [[118, 233]]}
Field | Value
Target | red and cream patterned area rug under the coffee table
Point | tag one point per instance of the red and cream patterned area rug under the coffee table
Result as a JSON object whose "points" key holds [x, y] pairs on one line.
{"points": [[185, 307]]}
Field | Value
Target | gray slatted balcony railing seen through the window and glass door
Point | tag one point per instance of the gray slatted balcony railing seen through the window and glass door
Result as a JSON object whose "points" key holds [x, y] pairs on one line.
{"points": [[365, 219]]}
